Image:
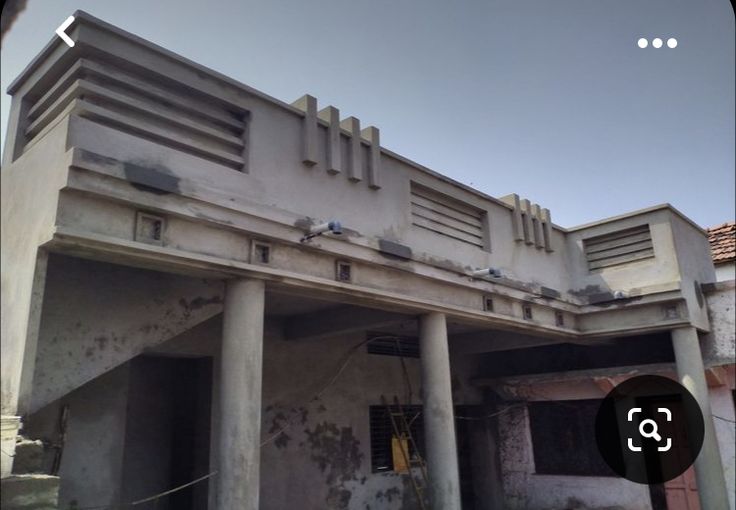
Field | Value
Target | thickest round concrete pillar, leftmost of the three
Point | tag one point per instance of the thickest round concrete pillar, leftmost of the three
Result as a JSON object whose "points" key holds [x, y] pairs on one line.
{"points": [[240, 395]]}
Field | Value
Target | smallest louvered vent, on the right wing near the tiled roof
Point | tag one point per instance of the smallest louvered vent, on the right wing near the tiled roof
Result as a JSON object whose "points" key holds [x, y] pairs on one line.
{"points": [[619, 247]]}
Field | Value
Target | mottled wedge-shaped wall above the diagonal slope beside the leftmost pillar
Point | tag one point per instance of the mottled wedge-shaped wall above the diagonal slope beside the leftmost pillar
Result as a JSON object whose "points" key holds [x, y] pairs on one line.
{"points": [[114, 313]]}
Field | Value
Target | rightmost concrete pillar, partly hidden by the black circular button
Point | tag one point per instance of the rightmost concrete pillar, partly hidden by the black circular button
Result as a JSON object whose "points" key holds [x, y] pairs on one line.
{"points": [[691, 374]]}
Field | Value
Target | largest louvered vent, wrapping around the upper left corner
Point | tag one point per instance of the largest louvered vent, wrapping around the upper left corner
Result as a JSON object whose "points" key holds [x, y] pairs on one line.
{"points": [[140, 103]]}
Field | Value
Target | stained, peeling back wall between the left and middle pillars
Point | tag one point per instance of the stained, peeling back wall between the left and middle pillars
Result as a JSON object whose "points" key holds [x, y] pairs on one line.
{"points": [[322, 460]]}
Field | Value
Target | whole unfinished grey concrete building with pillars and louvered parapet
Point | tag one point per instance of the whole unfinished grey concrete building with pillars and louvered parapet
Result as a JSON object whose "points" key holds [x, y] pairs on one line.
{"points": [[202, 282]]}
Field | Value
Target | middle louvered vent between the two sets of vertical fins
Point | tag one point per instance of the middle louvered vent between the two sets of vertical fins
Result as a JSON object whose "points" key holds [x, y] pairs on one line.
{"points": [[447, 216]]}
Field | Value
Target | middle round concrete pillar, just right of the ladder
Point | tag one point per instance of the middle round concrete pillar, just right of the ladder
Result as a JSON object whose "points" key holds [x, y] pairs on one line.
{"points": [[439, 421]]}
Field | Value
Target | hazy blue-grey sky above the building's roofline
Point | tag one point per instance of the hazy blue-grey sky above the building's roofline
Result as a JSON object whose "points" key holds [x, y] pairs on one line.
{"points": [[551, 99]]}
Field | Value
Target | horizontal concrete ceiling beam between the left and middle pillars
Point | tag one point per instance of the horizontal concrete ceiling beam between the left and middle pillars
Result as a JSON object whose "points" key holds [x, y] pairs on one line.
{"points": [[340, 320]]}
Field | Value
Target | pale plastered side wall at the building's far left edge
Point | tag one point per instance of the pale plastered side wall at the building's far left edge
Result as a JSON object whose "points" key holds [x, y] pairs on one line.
{"points": [[29, 197]]}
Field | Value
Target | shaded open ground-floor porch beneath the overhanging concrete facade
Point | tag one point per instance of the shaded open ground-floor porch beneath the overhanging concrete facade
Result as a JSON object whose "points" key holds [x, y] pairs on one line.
{"points": [[273, 398]]}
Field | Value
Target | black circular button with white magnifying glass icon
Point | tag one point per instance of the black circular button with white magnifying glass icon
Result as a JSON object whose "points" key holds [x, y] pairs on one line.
{"points": [[649, 429]]}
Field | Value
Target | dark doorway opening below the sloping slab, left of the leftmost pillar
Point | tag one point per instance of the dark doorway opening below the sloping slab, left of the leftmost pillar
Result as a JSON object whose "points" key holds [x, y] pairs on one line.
{"points": [[167, 437]]}
